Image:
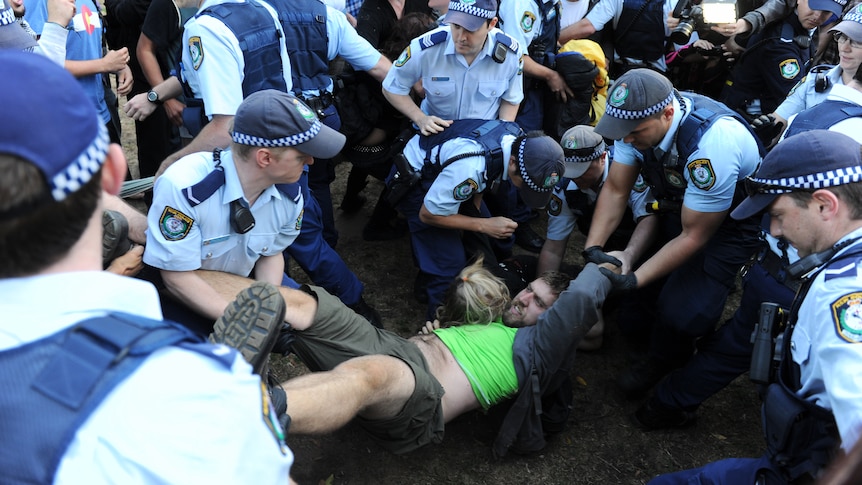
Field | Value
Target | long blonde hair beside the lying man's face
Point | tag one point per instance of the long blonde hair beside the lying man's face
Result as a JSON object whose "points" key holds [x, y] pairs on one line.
{"points": [[476, 296]]}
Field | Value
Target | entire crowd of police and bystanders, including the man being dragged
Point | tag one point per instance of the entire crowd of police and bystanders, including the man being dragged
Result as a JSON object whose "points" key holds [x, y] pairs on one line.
{"points": [[691, 154]]}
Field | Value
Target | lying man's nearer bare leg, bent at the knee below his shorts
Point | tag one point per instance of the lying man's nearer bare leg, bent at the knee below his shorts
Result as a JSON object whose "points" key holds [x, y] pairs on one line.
{"points": [[373, 386]]}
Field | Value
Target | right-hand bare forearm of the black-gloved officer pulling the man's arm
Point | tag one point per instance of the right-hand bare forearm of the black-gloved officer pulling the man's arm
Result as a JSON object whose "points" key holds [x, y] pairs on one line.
{"points": [[697, 228]]}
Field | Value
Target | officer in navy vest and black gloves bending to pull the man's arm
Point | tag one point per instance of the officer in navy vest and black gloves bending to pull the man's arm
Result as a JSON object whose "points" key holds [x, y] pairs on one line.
{"points": [[693, 153]]}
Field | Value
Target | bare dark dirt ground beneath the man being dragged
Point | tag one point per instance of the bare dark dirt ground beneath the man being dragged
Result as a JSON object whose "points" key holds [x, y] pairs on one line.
{"points": [[599, 445]]}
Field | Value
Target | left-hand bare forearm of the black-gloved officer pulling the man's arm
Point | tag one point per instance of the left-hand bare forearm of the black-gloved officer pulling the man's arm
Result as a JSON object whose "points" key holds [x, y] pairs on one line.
{"points": [[612, 203]]}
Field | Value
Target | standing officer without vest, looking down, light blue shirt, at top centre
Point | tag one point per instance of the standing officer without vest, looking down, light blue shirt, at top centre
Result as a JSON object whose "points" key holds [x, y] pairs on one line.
{"points": [[468, 69]]}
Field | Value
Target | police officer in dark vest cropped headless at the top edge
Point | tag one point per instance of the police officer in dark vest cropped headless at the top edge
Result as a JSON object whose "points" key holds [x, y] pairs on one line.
{"points": [[640, 30]]}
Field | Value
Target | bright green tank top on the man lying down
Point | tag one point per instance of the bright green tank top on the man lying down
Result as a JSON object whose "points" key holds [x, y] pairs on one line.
{"points": [[485, 354]]}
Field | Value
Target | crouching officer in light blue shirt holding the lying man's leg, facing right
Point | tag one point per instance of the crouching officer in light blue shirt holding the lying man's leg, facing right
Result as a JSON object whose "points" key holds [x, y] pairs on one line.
{"points": [[236, 210]]}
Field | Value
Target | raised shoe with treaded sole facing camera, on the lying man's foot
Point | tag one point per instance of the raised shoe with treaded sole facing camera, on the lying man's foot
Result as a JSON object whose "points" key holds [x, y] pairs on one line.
{"points": [[250, 323]]}
